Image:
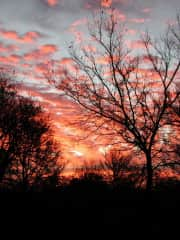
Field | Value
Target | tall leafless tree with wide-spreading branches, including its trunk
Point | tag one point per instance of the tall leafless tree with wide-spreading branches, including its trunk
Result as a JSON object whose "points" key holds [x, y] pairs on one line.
{"points": [[127, 93]]}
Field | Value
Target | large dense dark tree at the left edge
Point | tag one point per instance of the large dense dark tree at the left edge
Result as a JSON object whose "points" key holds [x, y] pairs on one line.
{"points": [[28, 153]]}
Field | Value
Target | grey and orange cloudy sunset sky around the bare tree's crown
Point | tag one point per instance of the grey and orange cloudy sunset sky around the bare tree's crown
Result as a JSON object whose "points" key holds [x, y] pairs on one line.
{"points": [[34, 33]]}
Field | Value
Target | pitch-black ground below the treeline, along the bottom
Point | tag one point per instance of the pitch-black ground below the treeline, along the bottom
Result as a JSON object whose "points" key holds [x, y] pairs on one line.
{"points": [[127, 212]]}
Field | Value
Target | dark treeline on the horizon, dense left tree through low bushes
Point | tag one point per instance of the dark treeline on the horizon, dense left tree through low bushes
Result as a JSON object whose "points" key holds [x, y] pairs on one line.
{"points": [[30, 159]]}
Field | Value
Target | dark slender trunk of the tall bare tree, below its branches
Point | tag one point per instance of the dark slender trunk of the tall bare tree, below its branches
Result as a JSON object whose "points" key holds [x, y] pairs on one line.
{"points": [[149, 180]]}
